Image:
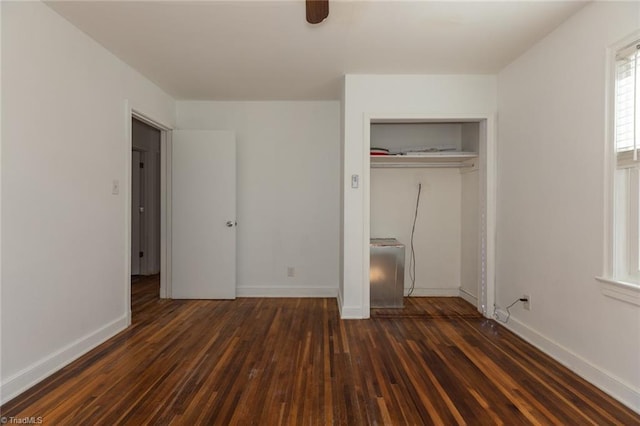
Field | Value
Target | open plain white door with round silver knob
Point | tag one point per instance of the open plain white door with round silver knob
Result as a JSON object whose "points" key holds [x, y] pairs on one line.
{"points": [[203, 215]]}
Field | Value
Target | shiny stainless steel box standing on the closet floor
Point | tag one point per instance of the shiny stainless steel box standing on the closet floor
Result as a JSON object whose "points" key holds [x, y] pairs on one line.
{"points": [[386, 273]]}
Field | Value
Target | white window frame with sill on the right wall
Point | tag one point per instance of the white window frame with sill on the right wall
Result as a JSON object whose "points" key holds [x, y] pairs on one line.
{"points": [[614, 283]]}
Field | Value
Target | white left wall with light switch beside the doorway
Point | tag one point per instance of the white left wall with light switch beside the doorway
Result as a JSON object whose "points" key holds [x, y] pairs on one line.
{"points": [[64, 140]]}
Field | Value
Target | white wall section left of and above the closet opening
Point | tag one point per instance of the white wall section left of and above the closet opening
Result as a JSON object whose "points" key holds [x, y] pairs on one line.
{"points": [[392, 94]]}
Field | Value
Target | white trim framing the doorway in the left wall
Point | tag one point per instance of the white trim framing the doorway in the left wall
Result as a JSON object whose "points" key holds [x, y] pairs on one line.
{"points": [[165, 202]]}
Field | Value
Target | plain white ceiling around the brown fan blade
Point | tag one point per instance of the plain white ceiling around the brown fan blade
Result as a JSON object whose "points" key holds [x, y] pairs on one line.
{"points": [[265, 50]]}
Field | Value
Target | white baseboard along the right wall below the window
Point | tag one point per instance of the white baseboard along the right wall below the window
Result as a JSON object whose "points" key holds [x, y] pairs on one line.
{"points": [[614, 386]]}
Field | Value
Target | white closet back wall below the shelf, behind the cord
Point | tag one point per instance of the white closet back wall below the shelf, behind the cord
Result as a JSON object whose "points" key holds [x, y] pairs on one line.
{"points": [[437, 239]]}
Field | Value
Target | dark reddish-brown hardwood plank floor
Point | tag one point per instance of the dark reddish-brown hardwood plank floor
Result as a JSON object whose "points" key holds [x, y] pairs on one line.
{"points": [[293, 361]]}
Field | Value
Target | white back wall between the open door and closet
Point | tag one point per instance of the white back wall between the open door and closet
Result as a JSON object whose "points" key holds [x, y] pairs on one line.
{"points": [[288, 193]]}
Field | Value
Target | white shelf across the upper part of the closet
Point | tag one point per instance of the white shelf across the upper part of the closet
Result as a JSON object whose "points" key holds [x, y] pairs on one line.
{"points": [[435, 159]]}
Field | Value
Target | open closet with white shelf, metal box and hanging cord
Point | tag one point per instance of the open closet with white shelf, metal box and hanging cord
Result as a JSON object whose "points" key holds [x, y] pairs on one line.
{"points": [[427, 233]]}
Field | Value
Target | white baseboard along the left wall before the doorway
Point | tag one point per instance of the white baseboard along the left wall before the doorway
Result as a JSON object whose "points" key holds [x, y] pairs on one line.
{"points": [[40, 370]]}
